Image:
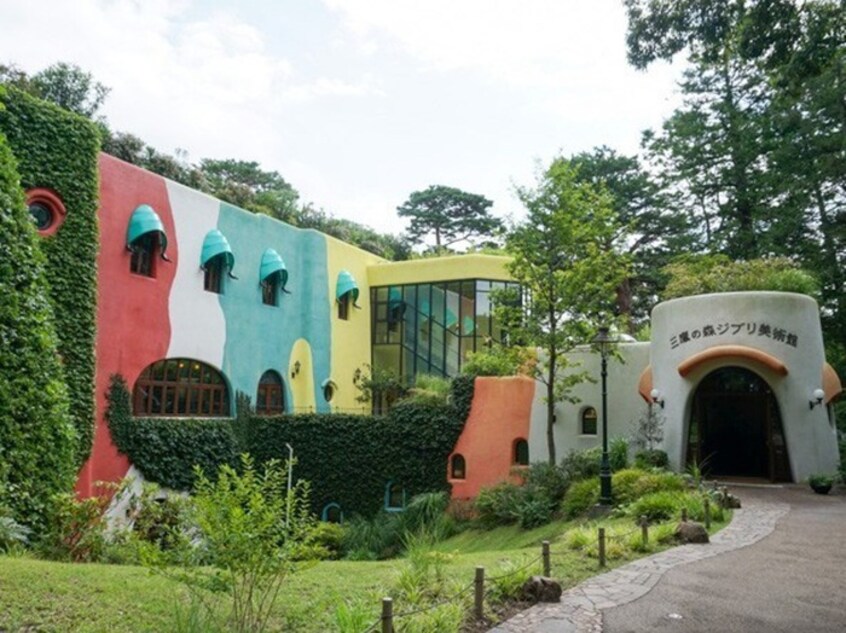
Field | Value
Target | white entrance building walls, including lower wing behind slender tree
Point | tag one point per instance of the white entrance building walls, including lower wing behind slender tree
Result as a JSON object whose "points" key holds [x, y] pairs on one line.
{"points": [[810, 435]]}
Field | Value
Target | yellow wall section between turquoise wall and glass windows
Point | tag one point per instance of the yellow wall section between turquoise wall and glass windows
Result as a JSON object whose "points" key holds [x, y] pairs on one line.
{"points": [[350, 338]]}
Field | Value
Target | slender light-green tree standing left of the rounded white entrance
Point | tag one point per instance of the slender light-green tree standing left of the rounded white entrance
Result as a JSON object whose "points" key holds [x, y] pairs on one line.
{"points": [[562, 259]]}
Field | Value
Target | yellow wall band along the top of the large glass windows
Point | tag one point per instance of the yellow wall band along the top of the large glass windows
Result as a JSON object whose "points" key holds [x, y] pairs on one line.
{"points": [[451, 268]]}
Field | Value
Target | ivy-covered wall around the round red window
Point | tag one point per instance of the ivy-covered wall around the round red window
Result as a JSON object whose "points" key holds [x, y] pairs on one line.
{"points": [[58, 150]]}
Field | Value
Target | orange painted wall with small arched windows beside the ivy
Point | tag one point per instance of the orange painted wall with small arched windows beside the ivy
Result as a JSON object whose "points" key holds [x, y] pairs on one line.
{"points": [[500, 414]]}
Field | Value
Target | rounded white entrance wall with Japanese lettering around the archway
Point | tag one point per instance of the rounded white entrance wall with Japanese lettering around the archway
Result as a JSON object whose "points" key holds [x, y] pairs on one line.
{"points": [[791, 334]]}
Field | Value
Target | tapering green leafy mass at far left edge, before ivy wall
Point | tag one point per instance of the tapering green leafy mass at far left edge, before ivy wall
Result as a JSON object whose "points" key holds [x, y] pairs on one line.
{"points": [[37, 437]]}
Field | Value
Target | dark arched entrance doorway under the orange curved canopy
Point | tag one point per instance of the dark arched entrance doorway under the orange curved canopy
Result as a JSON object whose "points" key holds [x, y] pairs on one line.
{"points": [[735, 427]]}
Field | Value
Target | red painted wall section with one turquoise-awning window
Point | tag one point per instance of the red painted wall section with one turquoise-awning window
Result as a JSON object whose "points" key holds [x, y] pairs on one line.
{"points": [[133, 328]]}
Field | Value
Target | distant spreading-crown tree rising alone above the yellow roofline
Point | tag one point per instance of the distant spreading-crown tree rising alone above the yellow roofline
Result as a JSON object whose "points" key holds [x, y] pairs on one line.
{"points": [[449, 216]]}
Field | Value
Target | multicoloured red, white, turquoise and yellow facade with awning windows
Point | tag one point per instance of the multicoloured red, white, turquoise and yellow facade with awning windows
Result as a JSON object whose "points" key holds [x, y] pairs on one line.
{"points": [[198, 300]]}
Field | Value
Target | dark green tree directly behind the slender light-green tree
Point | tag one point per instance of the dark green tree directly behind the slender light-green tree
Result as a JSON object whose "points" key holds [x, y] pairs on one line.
{"points": [[650, 232]]}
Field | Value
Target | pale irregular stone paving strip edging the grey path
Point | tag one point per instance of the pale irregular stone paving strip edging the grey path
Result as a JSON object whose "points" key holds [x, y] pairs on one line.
{"points": [[580, 609]]}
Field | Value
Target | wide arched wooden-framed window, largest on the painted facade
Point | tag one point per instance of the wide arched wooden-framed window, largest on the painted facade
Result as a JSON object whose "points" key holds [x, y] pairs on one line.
{"points": [[180, 386]]}
